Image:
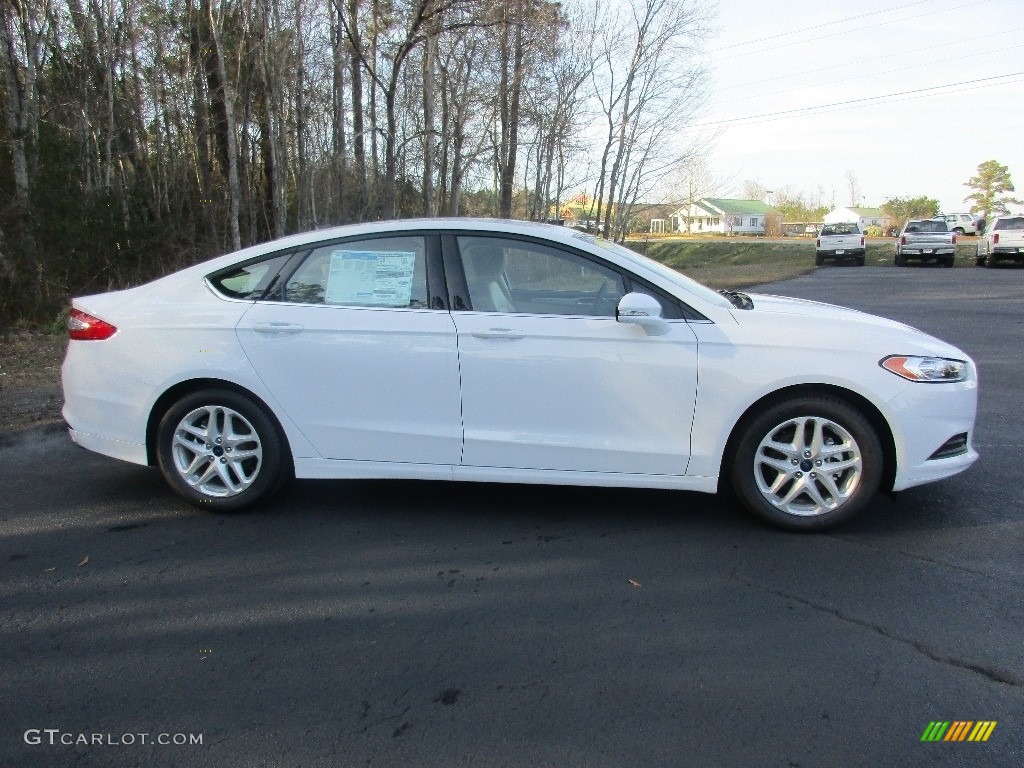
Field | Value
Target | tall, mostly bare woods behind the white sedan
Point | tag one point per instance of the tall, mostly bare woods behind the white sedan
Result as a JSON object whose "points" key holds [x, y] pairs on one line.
{"points": [[140, 137]]}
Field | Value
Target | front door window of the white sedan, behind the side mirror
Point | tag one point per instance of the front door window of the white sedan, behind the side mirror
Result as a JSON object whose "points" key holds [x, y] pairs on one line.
{"points": [[513, 276]]}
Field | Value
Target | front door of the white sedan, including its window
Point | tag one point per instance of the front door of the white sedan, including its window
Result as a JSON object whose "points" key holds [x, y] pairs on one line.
{"points": [[551, 381]]}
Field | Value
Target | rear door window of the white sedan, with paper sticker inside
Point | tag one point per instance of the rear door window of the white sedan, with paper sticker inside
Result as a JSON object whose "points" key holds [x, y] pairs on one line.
{"points": [[379, 273]]}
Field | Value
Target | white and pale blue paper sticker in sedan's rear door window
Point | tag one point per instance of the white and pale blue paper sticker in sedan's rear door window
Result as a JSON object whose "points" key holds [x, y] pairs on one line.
{"points": [[371, 278]]}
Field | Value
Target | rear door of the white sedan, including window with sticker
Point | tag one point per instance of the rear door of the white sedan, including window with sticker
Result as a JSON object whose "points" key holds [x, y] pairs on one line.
{"points": [[361, 354]]}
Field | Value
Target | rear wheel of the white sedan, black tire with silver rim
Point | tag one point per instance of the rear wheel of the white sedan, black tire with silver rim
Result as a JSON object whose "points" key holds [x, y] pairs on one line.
{"points": [[238, 483]]}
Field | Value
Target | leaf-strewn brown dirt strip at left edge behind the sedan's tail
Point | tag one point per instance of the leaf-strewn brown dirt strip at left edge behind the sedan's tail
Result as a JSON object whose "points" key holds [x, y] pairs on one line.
{"points": [[30, 382]]}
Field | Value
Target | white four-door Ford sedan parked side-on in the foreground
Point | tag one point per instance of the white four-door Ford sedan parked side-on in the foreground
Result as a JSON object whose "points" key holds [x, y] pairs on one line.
{"points": [[507, 352]]}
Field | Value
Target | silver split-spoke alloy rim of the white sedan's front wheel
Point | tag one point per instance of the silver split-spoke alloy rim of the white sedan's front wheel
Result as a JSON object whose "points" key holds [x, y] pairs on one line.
{"points": [[808, 466]]}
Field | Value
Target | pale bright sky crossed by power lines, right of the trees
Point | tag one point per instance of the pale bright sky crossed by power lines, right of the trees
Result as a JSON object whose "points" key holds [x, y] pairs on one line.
{"points": [[814, 60]]}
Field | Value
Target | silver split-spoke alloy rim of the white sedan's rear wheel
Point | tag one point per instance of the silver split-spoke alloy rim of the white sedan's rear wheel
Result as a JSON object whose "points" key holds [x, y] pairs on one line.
{"points": [[218, 451]]}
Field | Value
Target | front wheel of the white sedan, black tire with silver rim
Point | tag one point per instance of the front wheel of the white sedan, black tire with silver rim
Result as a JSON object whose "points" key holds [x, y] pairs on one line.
{"points": [[834, 420]]}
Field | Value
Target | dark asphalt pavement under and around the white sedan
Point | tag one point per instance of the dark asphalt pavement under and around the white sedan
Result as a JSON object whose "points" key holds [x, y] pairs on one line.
{"points": [[431, 624]]}
